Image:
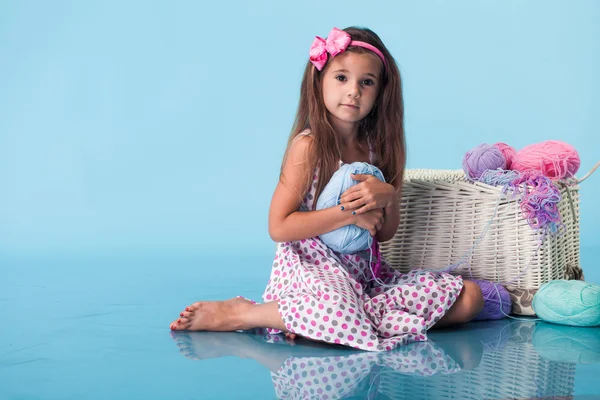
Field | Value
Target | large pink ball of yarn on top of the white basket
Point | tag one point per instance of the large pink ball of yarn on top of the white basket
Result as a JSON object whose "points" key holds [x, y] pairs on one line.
{"points": [[553, 158]]}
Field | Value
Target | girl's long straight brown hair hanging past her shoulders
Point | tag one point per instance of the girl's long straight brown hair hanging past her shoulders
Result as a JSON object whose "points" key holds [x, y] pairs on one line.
{"points": [[384, 127]]}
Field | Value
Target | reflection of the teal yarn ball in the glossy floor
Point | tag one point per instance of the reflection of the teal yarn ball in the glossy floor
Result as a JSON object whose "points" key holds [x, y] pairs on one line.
{"points": [[567, 344]]}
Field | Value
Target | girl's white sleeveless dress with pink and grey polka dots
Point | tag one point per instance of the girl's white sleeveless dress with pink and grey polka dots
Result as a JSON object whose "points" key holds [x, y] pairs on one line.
{"points": [[327, 296]]}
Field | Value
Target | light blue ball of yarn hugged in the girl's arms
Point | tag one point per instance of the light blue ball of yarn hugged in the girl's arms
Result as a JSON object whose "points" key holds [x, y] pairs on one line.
{"points": [[349, 239]]}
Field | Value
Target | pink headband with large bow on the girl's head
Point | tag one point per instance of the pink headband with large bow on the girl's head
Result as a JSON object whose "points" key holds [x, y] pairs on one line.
{"points": [[336, 42]]}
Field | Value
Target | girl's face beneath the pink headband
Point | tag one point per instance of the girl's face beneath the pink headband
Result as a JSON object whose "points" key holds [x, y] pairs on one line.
{"points": [[350, 86]]}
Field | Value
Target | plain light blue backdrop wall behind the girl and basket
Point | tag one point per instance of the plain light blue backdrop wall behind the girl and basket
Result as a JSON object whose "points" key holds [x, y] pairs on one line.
{"points": [[157, 128]]}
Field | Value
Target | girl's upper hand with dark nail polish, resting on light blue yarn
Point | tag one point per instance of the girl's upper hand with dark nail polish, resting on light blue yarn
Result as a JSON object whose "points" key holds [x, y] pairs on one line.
{"points": [[369, 194]]}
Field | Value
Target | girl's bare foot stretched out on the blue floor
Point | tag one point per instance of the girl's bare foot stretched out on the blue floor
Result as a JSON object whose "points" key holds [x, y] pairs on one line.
{"points": [[220, 316]]}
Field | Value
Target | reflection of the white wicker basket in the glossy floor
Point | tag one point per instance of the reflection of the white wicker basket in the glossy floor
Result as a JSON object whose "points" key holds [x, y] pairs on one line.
{"points": [[515, 370]]}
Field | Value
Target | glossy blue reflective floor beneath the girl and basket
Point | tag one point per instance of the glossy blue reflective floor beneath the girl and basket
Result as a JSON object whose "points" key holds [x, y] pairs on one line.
{"points": [[98, 329]]}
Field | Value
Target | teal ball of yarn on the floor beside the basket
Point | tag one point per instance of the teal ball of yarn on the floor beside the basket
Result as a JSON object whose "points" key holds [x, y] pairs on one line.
{"points": [[575, 303]]}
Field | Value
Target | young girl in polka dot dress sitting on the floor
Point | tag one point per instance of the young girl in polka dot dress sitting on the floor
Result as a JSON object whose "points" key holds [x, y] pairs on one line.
{"points": [[351, 109]]}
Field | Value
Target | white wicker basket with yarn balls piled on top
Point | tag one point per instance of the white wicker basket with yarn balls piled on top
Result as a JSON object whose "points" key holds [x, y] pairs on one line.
{"points": [[442, 216]]}
